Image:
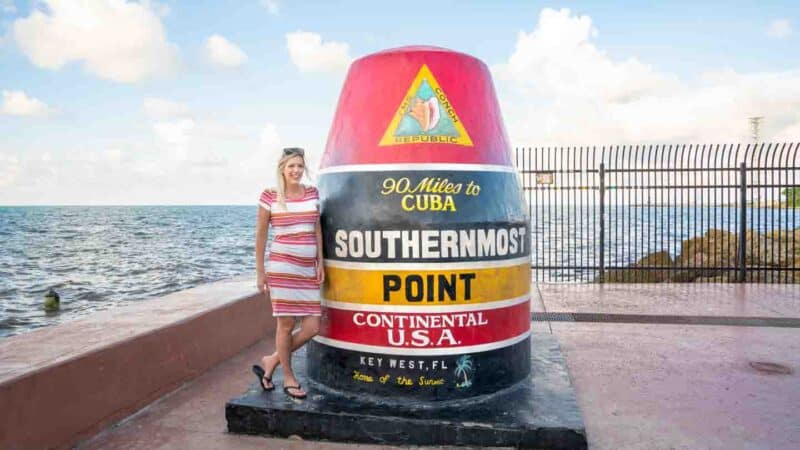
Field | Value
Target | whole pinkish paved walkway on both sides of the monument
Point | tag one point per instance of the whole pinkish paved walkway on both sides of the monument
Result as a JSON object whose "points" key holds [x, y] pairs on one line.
{"points": [[639, 385]]}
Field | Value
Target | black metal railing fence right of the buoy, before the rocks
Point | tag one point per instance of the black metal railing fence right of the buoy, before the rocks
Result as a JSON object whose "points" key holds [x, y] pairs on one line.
{"points": [[664, 213]]}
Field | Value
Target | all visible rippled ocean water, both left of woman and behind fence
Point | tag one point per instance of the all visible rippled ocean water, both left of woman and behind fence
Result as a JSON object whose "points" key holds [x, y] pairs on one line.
{"points": [[101, 257]]}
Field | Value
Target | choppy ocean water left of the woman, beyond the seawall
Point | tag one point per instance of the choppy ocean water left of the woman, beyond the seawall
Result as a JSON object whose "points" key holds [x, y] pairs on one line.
{"points": [[101, 257]]}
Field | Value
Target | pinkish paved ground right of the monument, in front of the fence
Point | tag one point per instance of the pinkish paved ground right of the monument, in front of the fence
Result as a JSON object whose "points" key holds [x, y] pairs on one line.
{"points": [[654, 385]]}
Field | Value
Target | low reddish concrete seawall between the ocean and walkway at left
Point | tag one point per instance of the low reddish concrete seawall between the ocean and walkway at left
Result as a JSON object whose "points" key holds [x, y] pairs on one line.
{"points": [[61, 384]]}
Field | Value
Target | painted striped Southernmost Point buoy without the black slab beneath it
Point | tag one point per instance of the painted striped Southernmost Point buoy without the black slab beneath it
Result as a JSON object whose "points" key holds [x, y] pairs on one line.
{"points": [[426, 237]]}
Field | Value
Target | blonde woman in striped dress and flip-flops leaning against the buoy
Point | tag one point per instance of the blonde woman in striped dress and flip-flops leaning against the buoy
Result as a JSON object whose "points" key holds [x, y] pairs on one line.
{"points": [[294, 271]]}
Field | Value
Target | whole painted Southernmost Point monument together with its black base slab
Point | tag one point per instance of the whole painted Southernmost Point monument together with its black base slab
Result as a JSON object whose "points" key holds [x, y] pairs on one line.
{"points": [[426, 325]]}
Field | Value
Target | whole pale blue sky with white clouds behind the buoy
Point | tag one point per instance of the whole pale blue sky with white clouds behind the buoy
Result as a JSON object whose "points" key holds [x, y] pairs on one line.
{"points": [[112, 102]]}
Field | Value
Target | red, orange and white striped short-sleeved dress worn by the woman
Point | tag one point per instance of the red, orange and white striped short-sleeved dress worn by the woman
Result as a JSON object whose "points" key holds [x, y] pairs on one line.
{"points": [[291, 267]]}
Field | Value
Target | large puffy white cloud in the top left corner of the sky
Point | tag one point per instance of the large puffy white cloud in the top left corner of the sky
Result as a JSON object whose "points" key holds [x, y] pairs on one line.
{"points": [[114, 39]]}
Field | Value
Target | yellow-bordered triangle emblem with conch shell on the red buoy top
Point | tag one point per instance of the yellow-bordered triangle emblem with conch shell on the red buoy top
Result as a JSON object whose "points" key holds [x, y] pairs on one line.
{"points": [[425, 116]]}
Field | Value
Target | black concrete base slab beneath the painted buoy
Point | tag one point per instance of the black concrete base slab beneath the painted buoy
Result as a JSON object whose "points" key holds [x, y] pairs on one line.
{"points": [[539, 412]]}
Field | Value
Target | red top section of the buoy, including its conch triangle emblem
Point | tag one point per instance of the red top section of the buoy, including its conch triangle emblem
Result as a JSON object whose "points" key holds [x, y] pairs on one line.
{"points": [[417, 105]]}
